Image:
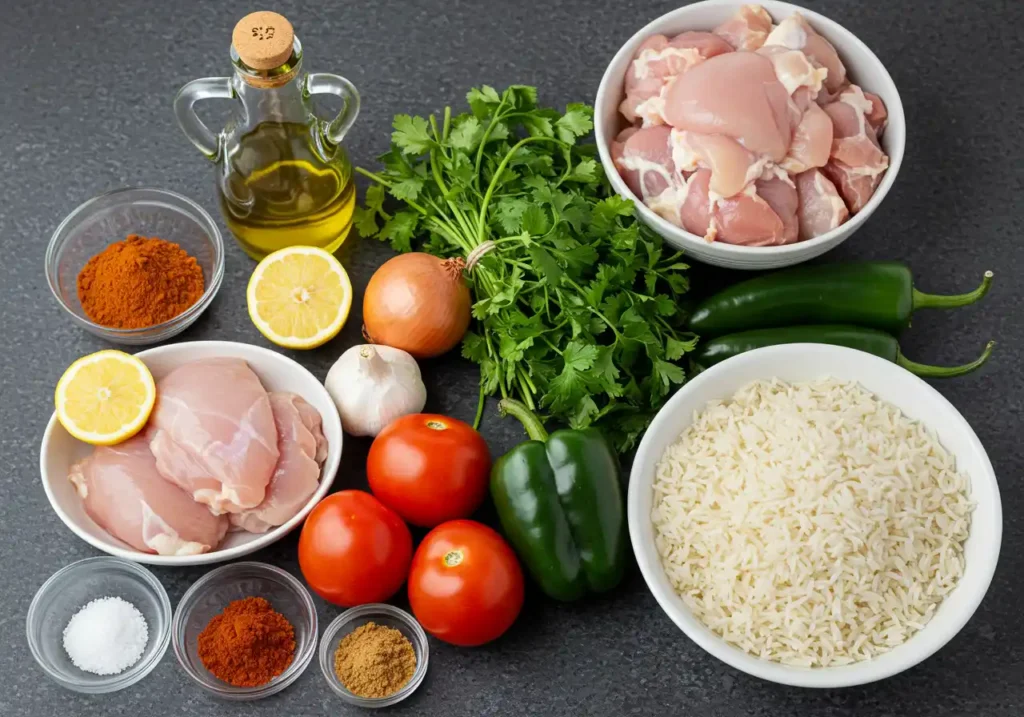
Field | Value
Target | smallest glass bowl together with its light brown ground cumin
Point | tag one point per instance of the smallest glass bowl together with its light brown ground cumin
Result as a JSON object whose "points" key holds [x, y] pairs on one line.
{"points": [[374, 656]]}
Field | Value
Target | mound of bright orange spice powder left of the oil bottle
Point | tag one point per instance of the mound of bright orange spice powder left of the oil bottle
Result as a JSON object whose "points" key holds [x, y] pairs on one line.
{"points": [[140, 283]]}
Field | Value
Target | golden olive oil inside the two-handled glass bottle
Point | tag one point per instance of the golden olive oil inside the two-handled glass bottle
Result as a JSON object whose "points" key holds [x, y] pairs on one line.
{"points": [[278, 191]]}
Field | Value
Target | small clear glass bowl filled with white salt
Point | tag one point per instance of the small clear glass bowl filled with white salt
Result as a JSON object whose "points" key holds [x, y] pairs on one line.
{"points": [[100, 625]]}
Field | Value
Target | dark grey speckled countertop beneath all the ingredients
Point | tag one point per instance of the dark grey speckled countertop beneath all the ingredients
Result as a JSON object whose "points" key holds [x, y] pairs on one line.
{"points": [[87, 108]]}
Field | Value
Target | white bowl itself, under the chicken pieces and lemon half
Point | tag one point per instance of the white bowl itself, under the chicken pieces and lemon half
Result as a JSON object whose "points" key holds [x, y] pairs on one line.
{"points": [[277, 372]]}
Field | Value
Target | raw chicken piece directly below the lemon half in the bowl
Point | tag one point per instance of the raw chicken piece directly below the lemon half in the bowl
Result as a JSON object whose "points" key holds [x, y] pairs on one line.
{"points": [[123, 492]]}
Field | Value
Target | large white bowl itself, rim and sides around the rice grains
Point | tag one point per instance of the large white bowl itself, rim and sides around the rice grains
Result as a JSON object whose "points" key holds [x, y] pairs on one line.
{"points": [[917, 400]]}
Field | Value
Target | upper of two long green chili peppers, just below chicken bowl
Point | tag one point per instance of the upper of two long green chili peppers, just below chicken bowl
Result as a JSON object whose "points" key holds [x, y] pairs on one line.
{"points": [[878, 296]]}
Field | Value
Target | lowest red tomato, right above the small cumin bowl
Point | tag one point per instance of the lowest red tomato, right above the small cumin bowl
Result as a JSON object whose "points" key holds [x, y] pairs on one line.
{"points": [[465, 586]]}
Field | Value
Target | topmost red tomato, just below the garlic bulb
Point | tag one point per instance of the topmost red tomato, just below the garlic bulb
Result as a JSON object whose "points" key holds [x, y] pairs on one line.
{"points": [[430, 469]]}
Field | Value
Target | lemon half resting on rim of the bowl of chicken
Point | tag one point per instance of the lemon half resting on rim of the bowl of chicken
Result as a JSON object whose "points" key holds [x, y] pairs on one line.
{"points": [[105, 398]]}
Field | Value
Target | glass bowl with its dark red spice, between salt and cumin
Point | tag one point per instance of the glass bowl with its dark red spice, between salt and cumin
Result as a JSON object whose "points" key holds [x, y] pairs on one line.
{"points": [[245, 631]]}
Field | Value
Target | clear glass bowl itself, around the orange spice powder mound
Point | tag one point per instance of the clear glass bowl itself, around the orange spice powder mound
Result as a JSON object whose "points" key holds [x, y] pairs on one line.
{"points": [[110, 219]]}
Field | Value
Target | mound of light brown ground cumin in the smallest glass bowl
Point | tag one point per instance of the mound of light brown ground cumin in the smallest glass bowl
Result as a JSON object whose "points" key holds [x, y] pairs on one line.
{"points": [[374, 661]]}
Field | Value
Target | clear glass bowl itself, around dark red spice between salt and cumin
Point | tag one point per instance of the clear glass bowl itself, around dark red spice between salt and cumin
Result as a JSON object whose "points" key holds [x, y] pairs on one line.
{"points": [[210, 596]]}
